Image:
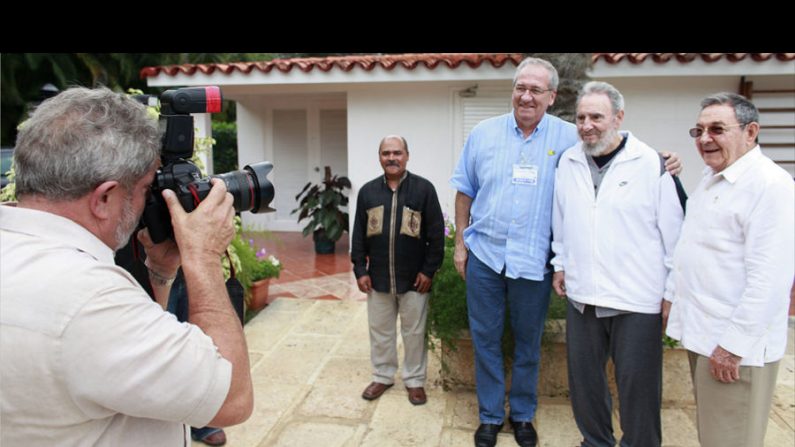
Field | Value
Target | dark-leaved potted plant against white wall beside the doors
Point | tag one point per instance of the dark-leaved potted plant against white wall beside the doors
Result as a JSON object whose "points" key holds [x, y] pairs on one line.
{"points": [[322, 204]]}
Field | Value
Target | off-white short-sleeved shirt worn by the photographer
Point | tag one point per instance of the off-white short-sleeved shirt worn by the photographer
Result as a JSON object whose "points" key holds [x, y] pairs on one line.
{"points": [[86, 357]]}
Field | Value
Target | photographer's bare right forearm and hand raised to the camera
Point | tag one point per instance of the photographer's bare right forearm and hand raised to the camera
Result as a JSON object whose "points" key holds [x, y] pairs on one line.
{"points": [[202, 237]]}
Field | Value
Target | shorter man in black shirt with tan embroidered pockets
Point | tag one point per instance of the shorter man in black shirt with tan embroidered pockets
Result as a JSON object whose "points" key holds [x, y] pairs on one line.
{"points": [[398, 245]]}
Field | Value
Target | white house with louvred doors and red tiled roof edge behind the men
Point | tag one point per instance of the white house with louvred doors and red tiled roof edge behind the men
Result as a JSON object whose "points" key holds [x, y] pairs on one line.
{"points": [[306, 113]]}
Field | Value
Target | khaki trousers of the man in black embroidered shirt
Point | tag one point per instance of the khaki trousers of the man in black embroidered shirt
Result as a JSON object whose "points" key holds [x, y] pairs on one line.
{"points": [[382, 312]]}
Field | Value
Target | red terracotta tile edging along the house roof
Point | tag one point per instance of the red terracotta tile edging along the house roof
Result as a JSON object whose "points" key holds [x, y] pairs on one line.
{"points": [[434, 60]]}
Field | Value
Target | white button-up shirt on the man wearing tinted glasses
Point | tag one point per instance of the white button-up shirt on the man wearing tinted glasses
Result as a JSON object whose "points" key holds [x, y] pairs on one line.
{"points": [[734, 263]]}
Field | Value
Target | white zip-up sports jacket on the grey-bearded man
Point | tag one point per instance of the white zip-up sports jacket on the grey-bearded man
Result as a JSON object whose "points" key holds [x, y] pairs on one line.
{"points": [[616, 248]]}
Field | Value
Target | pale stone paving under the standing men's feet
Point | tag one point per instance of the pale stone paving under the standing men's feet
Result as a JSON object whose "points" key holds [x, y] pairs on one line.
{"points": [[310, 363]]}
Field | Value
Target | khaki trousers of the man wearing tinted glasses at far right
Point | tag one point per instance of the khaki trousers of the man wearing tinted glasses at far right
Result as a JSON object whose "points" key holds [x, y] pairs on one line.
{"points": [[732, 414]]}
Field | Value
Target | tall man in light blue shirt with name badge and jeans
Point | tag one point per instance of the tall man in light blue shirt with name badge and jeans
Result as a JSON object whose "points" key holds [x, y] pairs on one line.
{"points": [[503, 214]]}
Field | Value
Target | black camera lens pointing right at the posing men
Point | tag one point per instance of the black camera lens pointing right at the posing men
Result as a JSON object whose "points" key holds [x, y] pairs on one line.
{"points": [[250, 187]]}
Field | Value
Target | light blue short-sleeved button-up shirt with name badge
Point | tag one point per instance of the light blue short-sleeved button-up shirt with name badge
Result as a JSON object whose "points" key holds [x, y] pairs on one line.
{"points": [[511, 224]]}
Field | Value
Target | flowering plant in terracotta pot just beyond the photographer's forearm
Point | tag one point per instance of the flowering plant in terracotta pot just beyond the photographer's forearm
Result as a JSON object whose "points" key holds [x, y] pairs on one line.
{"points": [[256, 270]]}
